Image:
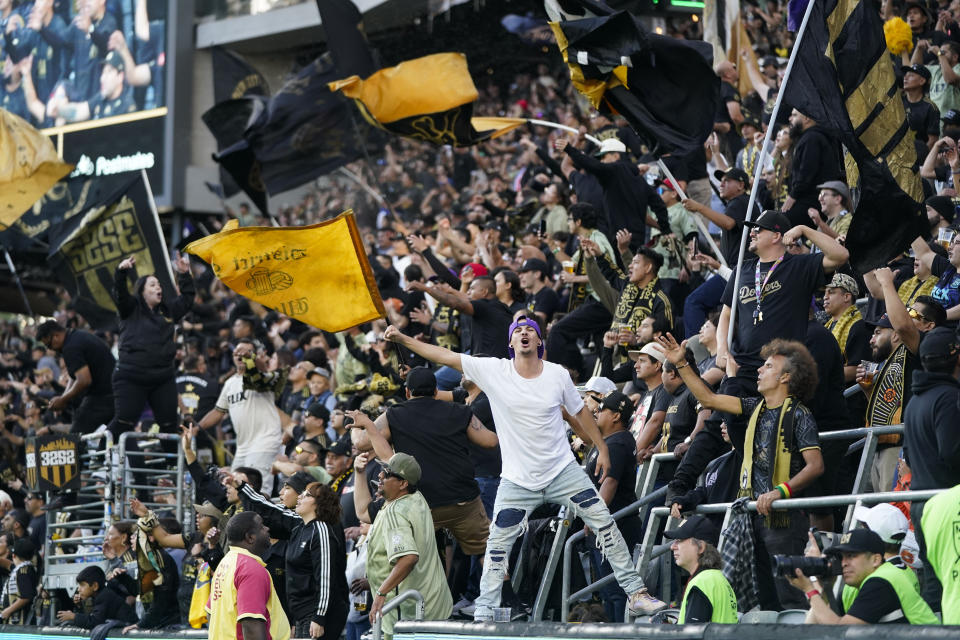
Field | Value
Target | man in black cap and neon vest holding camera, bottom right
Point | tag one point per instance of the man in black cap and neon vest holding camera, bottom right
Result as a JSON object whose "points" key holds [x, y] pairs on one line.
{"points": [[885, 592]]}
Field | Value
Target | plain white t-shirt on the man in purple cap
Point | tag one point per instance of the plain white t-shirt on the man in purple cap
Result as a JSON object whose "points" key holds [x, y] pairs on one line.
{"points": [[533, 435]]}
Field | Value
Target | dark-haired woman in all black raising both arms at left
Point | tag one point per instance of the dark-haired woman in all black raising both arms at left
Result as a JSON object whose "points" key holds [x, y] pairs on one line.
{"points": [[146, 372]]}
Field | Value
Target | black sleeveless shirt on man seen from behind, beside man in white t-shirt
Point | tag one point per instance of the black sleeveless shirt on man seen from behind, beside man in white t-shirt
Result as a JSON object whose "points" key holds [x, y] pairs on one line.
{"points": [[435, 433]]}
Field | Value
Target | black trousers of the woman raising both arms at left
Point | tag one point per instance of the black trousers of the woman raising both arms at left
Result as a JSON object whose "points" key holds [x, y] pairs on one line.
{"points": [[132, 391]]}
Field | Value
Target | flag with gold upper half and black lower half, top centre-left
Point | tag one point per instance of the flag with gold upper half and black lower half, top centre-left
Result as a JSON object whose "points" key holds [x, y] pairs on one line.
{"points": [[429, 98]]}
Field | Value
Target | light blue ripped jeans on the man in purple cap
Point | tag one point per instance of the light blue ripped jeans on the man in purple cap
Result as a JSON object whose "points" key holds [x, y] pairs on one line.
{"points": [[572, 489]]}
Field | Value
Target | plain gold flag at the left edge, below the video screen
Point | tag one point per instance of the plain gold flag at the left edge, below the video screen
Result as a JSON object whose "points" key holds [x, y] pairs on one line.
{"points": [[29, 166]]}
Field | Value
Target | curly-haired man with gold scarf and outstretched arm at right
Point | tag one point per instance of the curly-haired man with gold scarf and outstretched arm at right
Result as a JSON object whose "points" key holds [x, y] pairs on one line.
{"points": [[781, 452]]}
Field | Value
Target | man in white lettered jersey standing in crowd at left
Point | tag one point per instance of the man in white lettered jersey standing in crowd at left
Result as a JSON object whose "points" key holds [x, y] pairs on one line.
{"points": [[254, 415]]}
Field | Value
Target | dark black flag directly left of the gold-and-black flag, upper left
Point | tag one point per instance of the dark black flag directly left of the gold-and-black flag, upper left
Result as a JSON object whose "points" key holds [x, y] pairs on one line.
{"points": [[306, 132]]}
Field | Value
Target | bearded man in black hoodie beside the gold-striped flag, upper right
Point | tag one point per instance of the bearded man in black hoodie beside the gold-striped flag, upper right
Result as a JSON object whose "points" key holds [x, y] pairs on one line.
{"points": [[816, 160]]}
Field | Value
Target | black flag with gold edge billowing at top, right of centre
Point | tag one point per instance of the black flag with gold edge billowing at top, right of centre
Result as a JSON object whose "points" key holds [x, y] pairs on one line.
{"points": [[665, 88]]}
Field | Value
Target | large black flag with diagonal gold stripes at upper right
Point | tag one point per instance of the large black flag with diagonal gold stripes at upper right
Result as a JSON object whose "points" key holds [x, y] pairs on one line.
{"points": [[844, 79]]}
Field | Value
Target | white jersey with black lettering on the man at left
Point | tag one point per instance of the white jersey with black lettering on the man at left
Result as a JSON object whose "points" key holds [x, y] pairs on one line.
{"points": [[253, 414]]}
